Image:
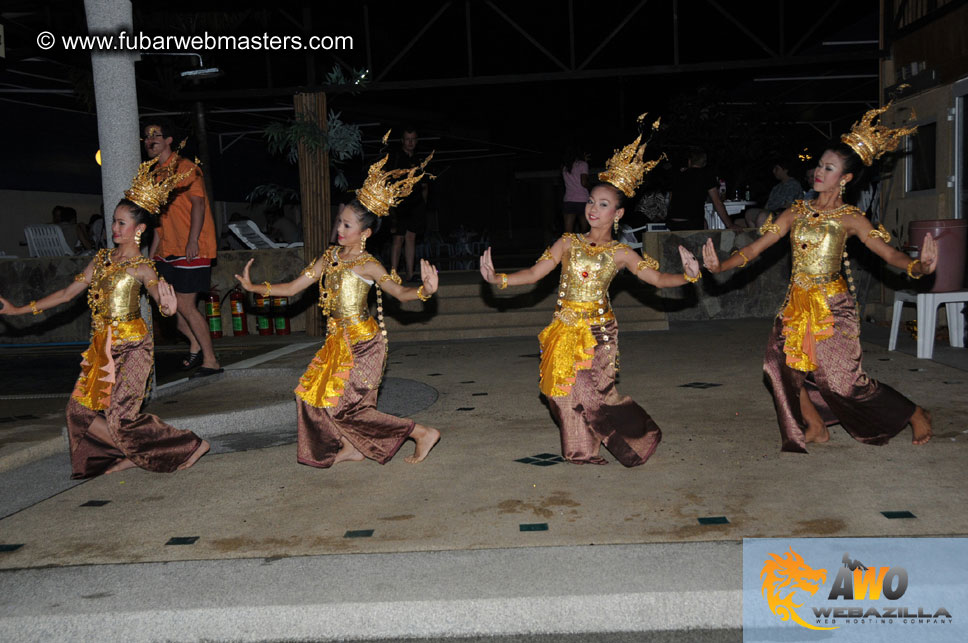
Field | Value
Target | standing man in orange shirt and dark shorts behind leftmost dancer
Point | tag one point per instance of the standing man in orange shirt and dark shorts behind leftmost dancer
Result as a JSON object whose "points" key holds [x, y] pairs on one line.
{"points": [[184, 246]]}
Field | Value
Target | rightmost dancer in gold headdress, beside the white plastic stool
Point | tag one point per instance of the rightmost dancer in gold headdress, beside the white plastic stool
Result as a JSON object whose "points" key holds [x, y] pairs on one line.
{"points": [[816, 334]]}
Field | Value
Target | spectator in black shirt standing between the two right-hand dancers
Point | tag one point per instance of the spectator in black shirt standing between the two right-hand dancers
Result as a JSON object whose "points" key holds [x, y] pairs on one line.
{"points": [[690, 189]]}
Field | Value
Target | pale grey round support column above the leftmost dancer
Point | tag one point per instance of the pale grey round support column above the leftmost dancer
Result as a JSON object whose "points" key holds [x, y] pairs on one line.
{"points": [[116, 101]]}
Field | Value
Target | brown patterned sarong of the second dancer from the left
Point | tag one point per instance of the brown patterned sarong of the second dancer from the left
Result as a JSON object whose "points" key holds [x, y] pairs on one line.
{"points": [[353, 415]]}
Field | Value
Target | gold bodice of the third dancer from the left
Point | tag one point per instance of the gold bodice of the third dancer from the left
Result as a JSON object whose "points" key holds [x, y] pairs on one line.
{"points": [[587, 270]]}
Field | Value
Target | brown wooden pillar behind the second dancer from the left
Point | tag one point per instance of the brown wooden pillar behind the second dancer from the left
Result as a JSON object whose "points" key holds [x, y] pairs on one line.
{"points": [[314, 195]]}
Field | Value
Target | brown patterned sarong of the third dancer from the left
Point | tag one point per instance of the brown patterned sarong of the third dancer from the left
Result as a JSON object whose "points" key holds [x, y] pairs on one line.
{"points": [[594, 413]]}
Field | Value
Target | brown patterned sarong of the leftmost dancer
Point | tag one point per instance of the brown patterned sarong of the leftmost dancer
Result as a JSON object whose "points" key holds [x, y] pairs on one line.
{"points": [[140, 437]]}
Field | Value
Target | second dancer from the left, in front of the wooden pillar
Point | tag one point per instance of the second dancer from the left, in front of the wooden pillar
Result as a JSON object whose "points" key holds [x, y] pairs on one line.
{"points": [[337, 417]]}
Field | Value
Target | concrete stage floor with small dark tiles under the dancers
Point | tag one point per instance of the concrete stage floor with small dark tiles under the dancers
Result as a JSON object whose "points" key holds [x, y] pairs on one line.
{"points": [[491, 538]]}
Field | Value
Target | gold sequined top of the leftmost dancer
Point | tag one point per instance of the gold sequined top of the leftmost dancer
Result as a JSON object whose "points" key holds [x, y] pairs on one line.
{"points": [[114, 295]]}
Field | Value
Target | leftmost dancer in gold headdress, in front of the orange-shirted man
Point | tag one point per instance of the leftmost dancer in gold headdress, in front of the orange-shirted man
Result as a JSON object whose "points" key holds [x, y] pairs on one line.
{"points": [[106, 429]]}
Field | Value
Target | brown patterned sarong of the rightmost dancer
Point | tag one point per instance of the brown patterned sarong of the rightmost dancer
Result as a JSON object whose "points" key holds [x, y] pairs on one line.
{"points": [[869, 411]]}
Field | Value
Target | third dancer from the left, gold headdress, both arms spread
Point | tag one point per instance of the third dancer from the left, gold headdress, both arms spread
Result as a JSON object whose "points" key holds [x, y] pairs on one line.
{"points": [[579, 349]]}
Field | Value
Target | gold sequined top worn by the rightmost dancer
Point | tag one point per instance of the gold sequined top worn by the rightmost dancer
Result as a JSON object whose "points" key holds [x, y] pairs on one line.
{"points": [[818, 239]]}
